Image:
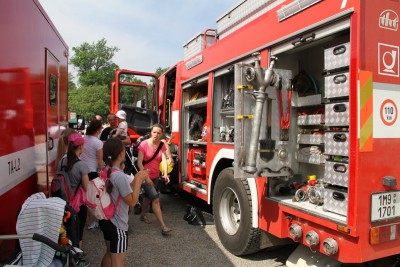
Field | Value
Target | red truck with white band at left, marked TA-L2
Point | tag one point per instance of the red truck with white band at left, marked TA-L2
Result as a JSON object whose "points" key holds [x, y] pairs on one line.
{"points": [[33, 84]]}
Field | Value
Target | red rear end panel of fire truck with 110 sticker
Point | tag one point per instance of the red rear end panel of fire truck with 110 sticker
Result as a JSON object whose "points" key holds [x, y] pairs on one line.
{"points": [[378, 137]]}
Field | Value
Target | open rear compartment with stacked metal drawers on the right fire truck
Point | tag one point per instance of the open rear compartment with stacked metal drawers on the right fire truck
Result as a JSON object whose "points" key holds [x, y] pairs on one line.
{"points": [[311, 133]]}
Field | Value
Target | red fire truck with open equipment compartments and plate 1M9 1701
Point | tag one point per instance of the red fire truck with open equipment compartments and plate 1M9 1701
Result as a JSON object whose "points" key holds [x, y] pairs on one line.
{"points": [[284, 118]]}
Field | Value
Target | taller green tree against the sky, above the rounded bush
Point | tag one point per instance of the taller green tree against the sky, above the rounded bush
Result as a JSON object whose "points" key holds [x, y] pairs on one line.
{"points": [[94, 63]]}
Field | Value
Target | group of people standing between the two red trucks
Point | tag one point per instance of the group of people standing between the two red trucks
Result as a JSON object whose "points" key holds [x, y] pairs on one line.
{"points": [[108, 150]]}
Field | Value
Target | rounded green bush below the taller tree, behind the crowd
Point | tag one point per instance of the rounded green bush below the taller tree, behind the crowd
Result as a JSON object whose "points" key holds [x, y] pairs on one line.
{"points": [[91, 100]]}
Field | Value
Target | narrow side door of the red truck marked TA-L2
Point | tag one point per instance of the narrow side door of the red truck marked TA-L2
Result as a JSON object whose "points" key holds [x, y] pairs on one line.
{"points": [[52, 112]]}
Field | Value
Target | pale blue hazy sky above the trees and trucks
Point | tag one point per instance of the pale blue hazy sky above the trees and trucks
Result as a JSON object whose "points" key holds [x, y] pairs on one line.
{"points": [[149, 33]]}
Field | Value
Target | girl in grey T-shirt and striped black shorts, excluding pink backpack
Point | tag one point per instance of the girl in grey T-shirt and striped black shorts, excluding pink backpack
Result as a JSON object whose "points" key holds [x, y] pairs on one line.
{"points": [[115, 230]]}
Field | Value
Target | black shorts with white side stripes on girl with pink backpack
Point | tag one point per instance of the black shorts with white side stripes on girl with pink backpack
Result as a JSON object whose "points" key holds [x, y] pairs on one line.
{"points": [[118, 238]]}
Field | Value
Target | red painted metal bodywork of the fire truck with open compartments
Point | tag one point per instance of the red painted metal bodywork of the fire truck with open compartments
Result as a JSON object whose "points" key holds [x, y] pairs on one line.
{"points": [[367, 169]]}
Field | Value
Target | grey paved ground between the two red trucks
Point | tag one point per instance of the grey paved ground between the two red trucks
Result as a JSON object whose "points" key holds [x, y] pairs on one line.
{"points": [[187, 245]]}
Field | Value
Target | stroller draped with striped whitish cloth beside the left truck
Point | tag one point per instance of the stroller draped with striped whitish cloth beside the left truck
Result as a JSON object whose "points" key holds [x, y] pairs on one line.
{"points": [[38, 231]]}
